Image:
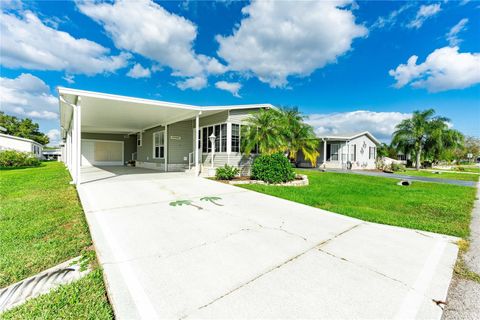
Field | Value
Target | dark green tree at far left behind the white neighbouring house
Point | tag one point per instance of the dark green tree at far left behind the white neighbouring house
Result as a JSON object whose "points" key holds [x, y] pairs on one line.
{"points": [[24, 128]]}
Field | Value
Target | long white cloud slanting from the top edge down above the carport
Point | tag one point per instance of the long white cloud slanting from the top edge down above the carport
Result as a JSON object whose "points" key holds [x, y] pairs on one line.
{"points": [[155, 33]]}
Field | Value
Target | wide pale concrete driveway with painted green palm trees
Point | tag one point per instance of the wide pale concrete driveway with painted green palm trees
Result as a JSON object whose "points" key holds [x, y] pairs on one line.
{"points": [[250, 255]]}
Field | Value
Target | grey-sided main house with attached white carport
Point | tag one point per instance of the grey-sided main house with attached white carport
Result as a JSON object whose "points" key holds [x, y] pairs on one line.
{"points": [[102, 130]]}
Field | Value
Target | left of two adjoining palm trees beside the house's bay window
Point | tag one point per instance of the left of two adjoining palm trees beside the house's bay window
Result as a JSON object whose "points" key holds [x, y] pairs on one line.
{"points": [[262, 130]]}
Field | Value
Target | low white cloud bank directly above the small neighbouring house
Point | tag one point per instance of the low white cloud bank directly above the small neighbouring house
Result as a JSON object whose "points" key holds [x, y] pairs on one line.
{"points": [[380, 124]]}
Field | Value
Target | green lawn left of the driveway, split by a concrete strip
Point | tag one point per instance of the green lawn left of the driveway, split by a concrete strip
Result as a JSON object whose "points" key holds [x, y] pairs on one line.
{"points": [[42, 224]]}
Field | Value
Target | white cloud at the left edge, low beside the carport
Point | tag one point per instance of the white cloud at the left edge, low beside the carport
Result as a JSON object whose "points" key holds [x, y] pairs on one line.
{"points": [[27, 96]]}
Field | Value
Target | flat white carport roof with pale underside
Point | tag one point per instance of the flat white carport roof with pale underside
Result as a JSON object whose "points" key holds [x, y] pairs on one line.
{"points": [[109, 113]]}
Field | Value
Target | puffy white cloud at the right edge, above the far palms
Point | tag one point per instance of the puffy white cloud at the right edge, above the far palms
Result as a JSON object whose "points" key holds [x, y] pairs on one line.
{"points": [[444, 69]]}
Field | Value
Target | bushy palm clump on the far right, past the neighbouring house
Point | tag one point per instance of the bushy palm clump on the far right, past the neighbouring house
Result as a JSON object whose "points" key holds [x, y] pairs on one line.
{"points": [[425, 135]]}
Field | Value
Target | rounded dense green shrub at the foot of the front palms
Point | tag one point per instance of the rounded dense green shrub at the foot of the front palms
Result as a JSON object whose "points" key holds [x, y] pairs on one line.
{"points": [[273, 168]]}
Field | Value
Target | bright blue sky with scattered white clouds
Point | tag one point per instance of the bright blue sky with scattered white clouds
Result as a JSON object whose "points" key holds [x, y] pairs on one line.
{"points": [[349, 66]]}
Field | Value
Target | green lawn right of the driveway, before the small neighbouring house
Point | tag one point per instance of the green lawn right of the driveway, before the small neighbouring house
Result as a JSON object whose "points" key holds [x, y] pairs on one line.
{"points": [[432, 207]]}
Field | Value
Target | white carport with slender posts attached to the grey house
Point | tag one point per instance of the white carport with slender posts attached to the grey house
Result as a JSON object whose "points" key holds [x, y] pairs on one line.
{"points": [[86, 112]]}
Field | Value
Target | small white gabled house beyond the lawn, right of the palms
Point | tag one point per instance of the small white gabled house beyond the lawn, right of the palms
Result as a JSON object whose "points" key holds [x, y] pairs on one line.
{"points": [[346, 151]]}
